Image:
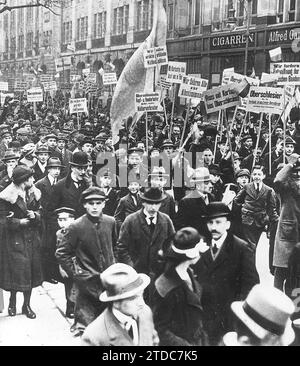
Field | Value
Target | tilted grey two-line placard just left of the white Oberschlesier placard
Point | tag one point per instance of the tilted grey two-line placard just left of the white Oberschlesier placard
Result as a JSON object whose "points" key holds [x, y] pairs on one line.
{"points": [[220, 98]]}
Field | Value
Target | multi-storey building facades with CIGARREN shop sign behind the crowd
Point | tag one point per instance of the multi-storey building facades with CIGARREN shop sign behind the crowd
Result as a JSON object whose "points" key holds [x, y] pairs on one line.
{"points": [[209, 35]]}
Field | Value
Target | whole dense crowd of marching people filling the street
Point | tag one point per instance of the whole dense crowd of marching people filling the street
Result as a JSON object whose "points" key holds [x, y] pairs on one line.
{"points": [[154, 238]]}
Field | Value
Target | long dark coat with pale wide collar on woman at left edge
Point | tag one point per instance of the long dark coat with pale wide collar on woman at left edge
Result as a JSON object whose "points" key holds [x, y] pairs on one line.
{"points": [[20, 259]]}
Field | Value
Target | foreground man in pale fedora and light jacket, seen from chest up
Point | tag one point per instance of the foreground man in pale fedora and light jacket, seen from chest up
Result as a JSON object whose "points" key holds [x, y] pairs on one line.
{"points": [[127, 321]]}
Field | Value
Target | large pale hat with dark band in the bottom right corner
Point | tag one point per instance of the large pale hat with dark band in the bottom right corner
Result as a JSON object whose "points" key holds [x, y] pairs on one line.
{"points": [[266, 310]]}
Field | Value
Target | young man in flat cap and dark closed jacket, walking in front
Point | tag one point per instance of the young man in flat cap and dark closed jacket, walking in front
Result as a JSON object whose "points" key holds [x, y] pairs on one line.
{"points": [[85, 251]]}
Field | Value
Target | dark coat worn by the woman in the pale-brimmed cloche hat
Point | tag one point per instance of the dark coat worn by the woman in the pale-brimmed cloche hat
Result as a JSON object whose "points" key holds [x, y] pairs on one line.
{"points": [[177, 310]]}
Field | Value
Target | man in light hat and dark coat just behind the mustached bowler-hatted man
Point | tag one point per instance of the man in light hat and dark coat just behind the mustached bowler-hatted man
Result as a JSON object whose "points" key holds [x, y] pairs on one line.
{"points": [[192, 208]]}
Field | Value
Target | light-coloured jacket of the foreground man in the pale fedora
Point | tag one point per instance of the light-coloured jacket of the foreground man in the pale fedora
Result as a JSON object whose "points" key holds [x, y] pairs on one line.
{"points": [[107, 331]]}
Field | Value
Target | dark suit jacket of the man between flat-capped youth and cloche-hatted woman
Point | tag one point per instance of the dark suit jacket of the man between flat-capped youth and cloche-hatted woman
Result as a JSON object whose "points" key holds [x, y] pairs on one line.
{"points": [[137, 247]]}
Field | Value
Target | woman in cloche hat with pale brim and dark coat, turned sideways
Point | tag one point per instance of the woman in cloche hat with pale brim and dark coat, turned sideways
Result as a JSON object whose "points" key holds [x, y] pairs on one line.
{"points": [[177, 305]]}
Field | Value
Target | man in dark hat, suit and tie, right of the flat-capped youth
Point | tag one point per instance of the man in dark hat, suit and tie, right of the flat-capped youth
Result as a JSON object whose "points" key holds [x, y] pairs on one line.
{"points": [[143, 233]]}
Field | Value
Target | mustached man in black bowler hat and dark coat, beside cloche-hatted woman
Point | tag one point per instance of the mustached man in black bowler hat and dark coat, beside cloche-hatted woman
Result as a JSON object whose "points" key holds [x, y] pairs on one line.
{"points": [[226, 272]]}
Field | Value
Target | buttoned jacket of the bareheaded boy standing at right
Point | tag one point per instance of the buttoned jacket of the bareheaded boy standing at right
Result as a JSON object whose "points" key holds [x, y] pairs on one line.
{"points": [[257, 208]]}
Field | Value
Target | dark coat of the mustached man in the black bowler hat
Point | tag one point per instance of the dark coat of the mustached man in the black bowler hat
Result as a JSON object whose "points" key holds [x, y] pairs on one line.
{"points": [[228, 278]]}
